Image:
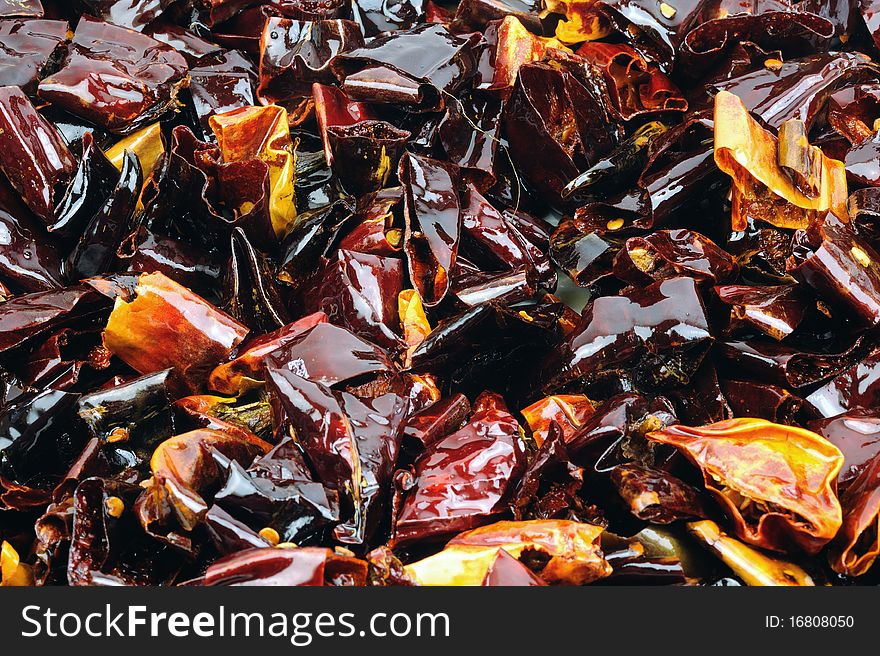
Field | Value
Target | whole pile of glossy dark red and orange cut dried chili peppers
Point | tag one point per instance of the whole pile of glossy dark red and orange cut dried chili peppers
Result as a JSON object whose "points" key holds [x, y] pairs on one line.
{"points": [[513, 292]]}
